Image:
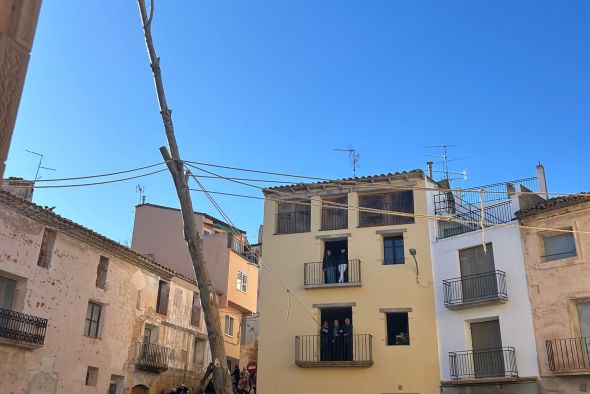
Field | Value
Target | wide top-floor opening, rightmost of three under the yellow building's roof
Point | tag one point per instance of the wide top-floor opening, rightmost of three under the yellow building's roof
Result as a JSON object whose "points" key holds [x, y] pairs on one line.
{"points": [[395, 201]]}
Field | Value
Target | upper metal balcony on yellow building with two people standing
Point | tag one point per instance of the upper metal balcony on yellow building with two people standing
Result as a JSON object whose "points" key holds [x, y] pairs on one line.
{"points": [[314, 275]]}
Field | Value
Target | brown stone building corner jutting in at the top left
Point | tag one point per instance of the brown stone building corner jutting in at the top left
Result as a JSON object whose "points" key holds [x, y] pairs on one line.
{"points": [[18, 21]]}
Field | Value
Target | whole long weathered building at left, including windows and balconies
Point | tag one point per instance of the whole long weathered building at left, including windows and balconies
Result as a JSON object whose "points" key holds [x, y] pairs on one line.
{"points": [[80, 313]]}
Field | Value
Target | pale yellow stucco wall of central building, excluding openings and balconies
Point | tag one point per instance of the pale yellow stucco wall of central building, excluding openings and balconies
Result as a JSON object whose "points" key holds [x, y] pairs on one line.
{"points": [[404, 369]]}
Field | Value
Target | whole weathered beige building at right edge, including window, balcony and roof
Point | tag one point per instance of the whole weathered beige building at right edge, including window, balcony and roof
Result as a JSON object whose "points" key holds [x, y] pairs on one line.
{"points": [[558, 272]]}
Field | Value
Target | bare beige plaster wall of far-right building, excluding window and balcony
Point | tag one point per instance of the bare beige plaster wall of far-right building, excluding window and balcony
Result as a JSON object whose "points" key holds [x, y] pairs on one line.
{"points": [[555, 286]]}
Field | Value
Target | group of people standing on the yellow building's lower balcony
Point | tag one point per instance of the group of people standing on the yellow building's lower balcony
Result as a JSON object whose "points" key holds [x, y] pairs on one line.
{"points": [[336, 341]]}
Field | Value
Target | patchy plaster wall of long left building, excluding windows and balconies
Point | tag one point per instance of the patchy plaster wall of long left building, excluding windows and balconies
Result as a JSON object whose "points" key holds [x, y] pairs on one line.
{"points": [[61, 294]]}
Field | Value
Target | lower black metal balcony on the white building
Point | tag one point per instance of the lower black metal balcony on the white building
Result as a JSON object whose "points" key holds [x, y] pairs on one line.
{"points": [[483, 364]]}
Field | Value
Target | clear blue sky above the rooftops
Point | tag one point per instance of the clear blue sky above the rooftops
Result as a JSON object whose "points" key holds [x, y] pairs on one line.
{"points": [[278, 85]]}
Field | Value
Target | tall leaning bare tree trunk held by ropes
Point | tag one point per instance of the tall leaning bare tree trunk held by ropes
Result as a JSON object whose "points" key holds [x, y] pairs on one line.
{"points": [[221, 374]]}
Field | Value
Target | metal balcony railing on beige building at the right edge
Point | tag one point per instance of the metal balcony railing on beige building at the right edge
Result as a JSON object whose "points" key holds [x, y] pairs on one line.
{"points": [[569, 356]]}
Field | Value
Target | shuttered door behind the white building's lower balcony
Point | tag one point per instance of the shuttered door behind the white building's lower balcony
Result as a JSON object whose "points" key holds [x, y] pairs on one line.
{"points": [[488, 358]]}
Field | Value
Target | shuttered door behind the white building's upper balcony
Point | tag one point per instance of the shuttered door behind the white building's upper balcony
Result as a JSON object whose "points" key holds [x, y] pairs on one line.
{"points": [[478, 279]]}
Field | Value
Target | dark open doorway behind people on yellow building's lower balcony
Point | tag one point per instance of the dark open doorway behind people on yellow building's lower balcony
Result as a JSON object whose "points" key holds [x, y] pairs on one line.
{"points": [[337, 345]]}
